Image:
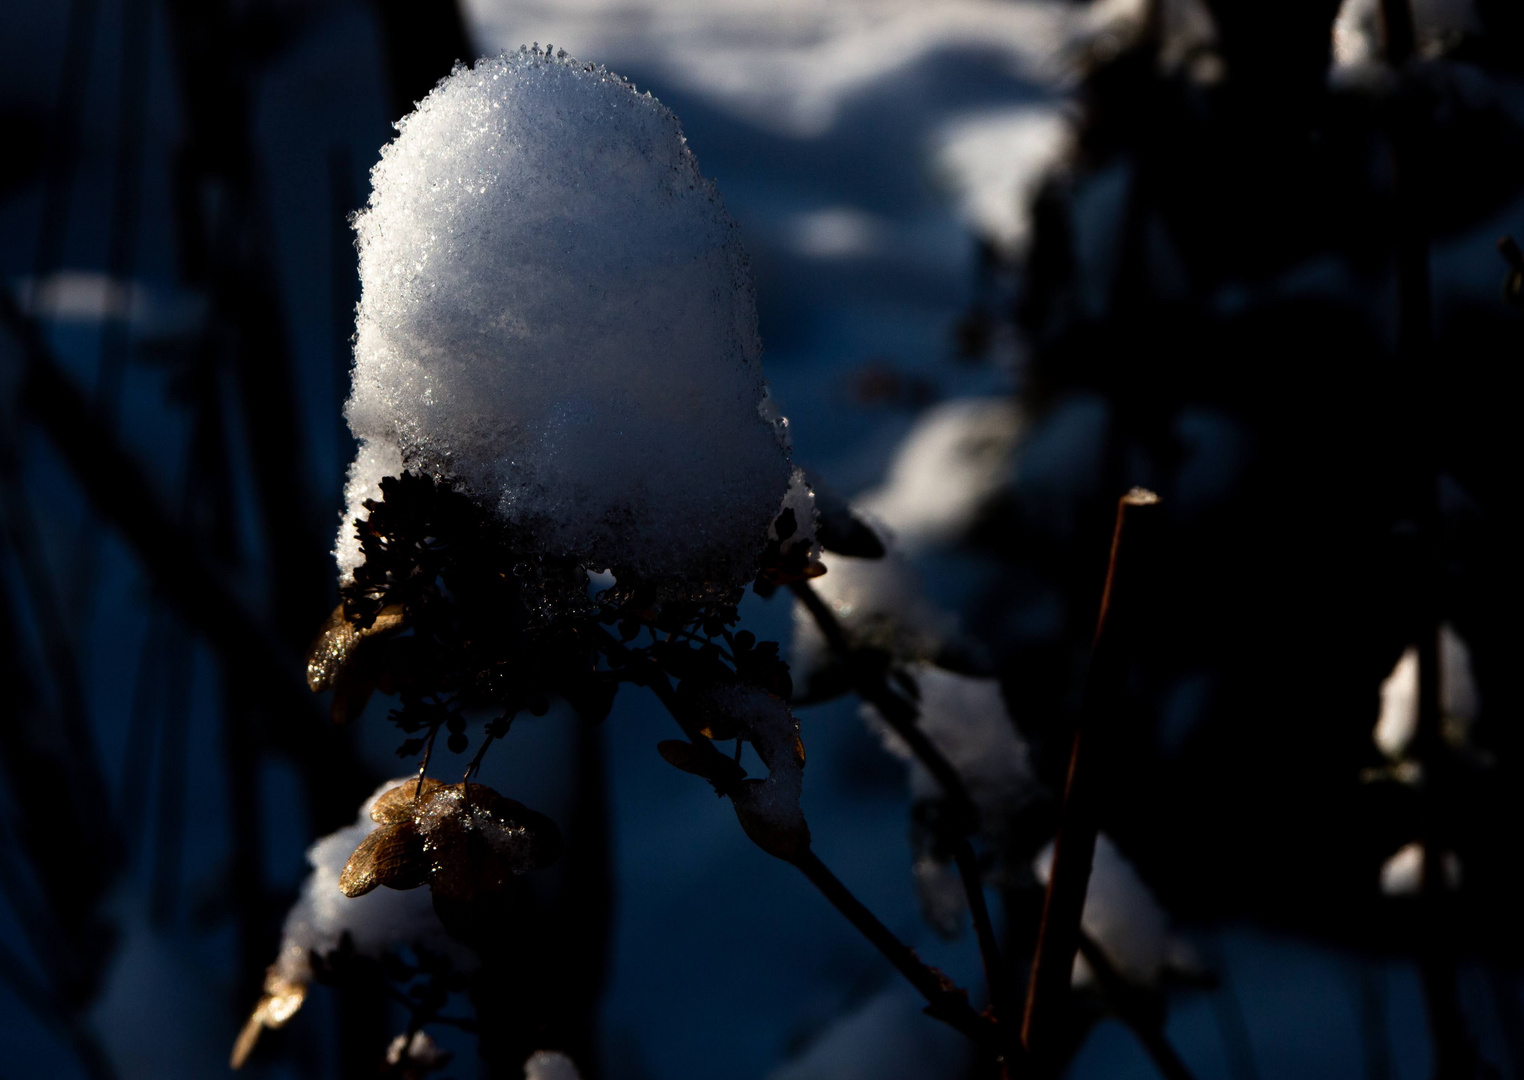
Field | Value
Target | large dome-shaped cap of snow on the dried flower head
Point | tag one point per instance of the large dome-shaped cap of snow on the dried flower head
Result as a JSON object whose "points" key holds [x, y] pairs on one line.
{"points": [[557, 315]]}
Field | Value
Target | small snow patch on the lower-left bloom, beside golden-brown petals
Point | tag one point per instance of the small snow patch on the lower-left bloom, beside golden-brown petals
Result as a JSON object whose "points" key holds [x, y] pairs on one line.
{"points": [[374, 922]]}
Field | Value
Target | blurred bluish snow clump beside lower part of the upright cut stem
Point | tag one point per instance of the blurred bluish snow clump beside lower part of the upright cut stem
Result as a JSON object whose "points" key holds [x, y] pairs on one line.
{"points": [[1124, 919]]}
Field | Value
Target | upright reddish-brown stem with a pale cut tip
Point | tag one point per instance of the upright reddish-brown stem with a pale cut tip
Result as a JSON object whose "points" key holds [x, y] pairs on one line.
{"points": [[1080, 822]]}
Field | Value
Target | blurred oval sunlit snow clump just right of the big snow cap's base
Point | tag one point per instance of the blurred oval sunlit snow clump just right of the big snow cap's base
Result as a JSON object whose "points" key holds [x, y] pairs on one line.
{"points": [[956, 458]]}
